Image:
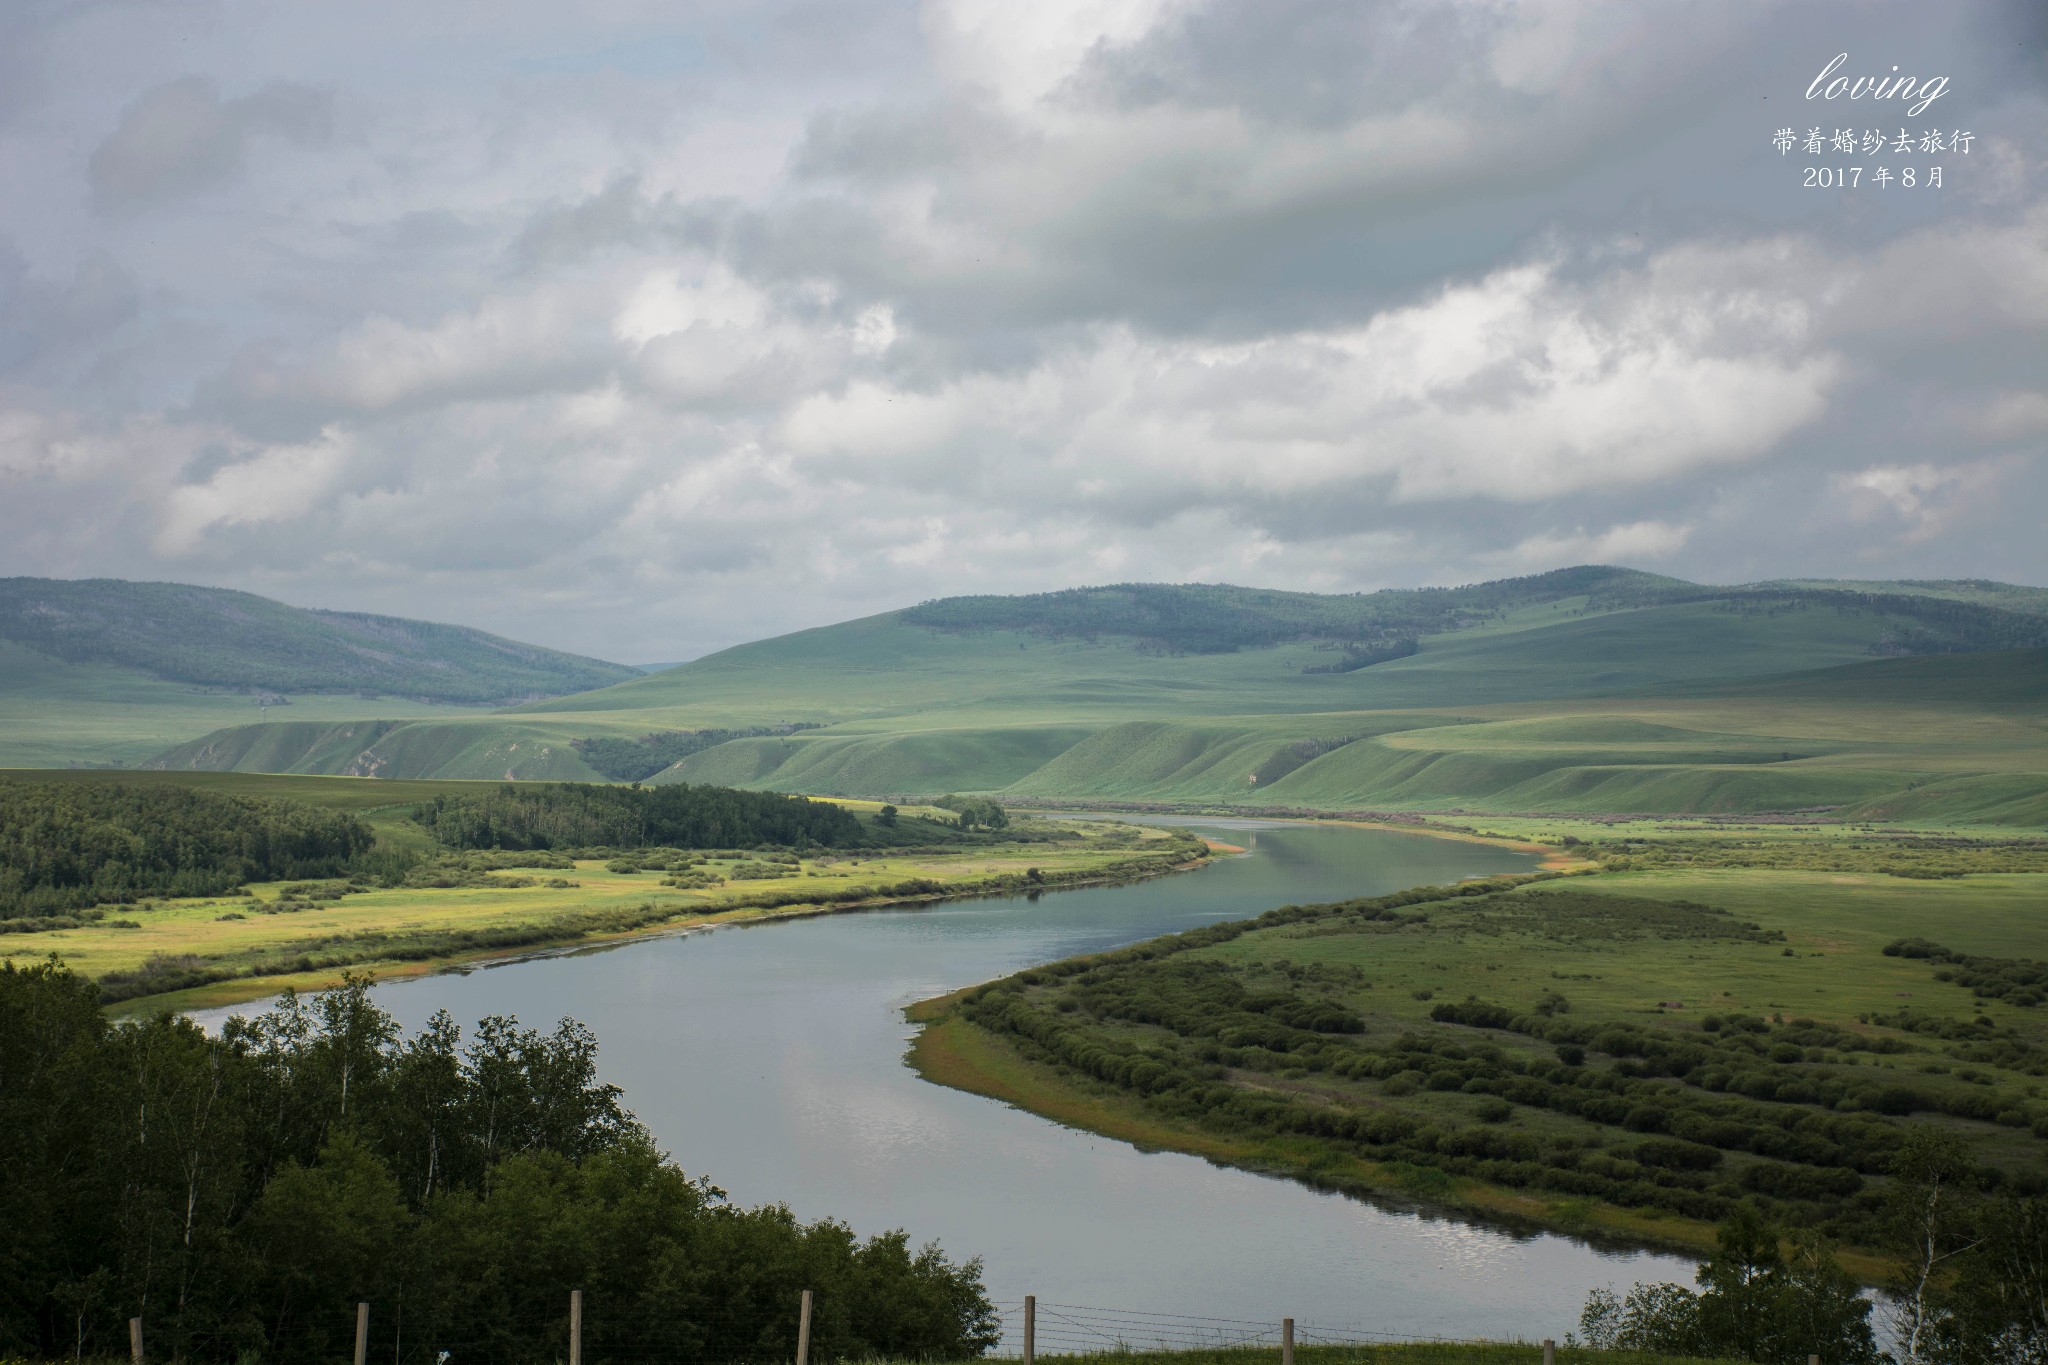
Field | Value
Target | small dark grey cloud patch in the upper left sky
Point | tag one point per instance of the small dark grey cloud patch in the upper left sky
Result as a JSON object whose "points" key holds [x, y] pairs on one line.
{"points": [[183, 136]]}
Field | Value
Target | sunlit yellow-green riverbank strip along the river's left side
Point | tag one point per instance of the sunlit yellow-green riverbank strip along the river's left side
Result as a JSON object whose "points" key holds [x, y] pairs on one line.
{"points": [[224, 951]]}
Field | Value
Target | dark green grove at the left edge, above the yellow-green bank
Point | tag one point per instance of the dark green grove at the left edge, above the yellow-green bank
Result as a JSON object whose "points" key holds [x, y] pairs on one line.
{"points": [[71, 846]]}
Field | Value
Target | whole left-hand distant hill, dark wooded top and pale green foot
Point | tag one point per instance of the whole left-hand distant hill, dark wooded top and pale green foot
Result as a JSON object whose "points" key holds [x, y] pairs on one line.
{"points": [[114, 672]]}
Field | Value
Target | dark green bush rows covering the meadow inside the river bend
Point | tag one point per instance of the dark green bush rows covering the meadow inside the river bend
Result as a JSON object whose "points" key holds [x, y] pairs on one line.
{"points": [[1687, 1118]]}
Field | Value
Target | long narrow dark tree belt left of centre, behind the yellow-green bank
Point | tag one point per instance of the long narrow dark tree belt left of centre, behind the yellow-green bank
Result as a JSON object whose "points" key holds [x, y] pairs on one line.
{"points": [[577, 816]]}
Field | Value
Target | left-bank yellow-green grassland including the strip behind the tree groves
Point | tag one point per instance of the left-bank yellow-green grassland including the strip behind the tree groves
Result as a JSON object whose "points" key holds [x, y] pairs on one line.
{"points": [[183, 953]]}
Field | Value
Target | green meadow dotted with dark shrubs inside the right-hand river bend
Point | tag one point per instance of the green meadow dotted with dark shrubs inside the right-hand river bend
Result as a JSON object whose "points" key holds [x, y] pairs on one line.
{"points": [[1744, 1034]]}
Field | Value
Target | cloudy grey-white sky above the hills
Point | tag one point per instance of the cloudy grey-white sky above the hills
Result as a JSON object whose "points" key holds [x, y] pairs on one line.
{"points": [[650, 328]]}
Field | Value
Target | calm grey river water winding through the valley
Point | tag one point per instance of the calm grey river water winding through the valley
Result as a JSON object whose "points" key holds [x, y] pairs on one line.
{"points": [[771, 1061]]}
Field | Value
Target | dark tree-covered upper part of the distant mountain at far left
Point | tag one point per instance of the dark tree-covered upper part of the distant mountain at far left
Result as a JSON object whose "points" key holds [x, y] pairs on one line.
{"points": [[216, 637]]}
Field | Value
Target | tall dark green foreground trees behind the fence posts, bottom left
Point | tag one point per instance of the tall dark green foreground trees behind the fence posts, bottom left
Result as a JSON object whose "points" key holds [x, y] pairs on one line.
{"points": [[245, 1192]]}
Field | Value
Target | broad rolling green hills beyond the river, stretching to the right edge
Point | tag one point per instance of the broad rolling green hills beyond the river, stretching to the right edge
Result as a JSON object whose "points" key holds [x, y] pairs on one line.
{"points": [[1586, 691]]}
